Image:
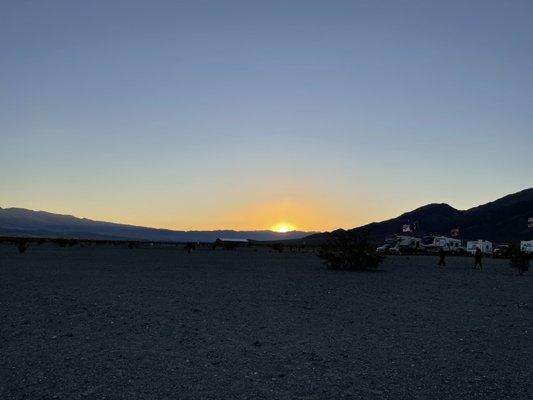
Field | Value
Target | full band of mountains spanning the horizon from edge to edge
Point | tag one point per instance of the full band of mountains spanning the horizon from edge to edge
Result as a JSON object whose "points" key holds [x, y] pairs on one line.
{"points": [[502, 221]]}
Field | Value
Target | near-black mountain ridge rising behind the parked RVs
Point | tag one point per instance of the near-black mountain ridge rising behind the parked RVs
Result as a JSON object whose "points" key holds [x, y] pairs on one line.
{"points": [[502, 221]]}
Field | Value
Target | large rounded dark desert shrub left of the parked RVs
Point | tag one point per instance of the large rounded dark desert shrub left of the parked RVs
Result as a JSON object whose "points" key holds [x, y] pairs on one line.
{"points": [[346, 252]]}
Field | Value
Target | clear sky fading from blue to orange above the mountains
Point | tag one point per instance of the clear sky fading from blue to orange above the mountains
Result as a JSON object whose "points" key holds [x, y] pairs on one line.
{"points": [[247, 114]]}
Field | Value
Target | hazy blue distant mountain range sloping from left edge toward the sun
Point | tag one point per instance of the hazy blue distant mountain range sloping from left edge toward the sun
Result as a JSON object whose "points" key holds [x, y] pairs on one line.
{"points": [[23, 222]]}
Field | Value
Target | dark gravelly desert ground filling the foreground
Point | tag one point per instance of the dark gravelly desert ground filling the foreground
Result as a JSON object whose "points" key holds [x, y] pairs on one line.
{"points": [[108, 322]]}
